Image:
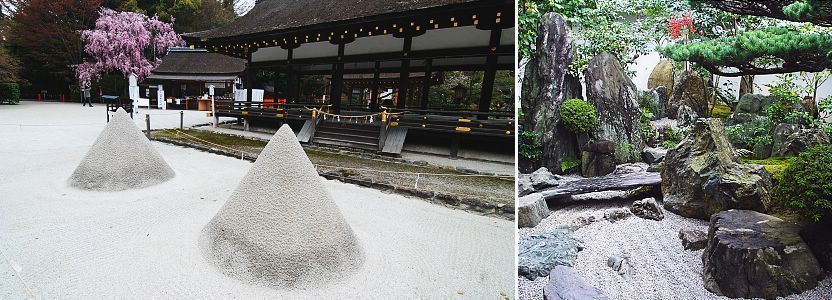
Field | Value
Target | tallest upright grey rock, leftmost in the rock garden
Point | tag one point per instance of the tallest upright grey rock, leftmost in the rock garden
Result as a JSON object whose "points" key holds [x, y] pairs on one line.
{"points": [[546, 85]]}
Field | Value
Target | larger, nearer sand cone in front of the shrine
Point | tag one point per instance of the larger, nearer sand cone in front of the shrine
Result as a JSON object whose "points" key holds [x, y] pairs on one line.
{"points": [[280, 227]]}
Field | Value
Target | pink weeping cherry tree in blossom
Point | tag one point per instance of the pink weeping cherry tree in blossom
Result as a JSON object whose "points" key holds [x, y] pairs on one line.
{"points": [[124, 42]]}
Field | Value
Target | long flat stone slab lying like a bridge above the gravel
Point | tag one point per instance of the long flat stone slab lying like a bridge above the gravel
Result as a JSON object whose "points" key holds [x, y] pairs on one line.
{"points": [[614, 182]]}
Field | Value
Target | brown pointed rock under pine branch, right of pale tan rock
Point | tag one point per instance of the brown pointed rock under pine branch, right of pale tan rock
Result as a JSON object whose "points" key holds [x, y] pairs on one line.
{"points": [[690, 91]]}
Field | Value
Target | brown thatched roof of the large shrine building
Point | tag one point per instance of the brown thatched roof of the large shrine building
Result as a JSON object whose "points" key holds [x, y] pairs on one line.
{"points": [[278, 15]]}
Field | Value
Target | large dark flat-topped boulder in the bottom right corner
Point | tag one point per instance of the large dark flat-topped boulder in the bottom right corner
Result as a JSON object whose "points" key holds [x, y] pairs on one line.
{"points": [[754, 255]]}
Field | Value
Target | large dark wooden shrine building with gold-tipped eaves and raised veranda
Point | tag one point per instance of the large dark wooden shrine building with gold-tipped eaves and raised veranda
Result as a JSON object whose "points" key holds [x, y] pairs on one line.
{"points": [[362, 42]]}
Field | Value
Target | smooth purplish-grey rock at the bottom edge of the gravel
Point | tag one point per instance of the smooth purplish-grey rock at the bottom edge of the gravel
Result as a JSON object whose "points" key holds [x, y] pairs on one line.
{"points": [[566, 284]]}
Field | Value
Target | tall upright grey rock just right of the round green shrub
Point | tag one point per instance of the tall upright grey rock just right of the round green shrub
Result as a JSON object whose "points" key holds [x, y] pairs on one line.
{"points": [[615, 98]]}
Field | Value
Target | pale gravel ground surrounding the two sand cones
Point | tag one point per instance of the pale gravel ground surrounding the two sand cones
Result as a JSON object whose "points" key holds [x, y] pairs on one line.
{"points": [[143, 244]]}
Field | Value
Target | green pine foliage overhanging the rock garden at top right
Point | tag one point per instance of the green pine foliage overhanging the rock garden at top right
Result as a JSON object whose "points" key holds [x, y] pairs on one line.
{"points": [[786, 48]]}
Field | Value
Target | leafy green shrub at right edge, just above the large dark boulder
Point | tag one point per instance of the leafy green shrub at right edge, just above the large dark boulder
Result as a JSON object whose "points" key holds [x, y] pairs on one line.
{"points": [[805, 186]]}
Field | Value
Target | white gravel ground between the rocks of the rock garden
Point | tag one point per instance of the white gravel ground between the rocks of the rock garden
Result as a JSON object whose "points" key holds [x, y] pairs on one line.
{"points": [[663, 269]]}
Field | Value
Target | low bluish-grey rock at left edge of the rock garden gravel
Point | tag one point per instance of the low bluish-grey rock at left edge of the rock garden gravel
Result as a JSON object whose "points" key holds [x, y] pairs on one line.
{"points": [[539, 254]]}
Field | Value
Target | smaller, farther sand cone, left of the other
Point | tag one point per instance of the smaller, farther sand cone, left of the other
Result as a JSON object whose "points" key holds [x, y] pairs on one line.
{"points": [[121, 158]]}
